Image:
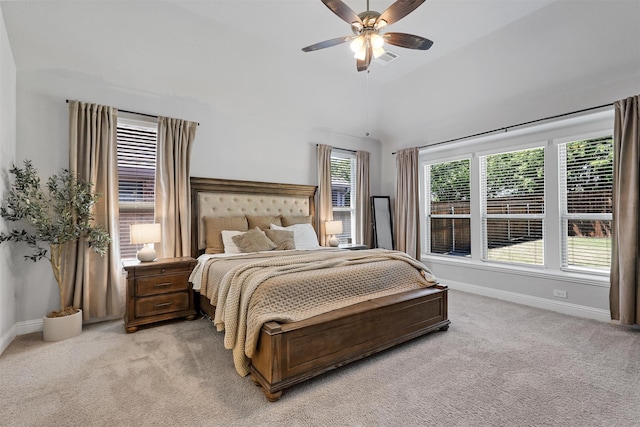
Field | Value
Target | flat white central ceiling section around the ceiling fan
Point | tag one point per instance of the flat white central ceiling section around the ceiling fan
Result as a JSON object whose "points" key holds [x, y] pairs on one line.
{"points": [[290, 25]]}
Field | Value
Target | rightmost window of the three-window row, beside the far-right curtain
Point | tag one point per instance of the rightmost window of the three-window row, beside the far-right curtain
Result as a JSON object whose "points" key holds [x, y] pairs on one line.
{"points": [[586, 189]]}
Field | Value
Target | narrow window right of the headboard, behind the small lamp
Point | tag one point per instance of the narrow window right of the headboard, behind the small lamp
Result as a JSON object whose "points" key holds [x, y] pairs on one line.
{"points": [[343, 194]]}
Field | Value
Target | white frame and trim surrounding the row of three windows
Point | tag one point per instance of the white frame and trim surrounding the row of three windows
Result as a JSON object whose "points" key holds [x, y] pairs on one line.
{"points": [[544, 133]]}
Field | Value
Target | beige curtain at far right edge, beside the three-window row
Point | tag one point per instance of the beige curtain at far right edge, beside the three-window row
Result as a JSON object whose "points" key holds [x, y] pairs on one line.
{"points": [[624, 294]]}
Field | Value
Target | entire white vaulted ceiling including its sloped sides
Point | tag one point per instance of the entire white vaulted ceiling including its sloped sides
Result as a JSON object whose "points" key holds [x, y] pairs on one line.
{"points": [[543, 56]]}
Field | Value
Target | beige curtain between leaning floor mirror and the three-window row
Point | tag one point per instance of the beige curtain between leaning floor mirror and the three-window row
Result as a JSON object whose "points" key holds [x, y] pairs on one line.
{"points": [[407, 208]]}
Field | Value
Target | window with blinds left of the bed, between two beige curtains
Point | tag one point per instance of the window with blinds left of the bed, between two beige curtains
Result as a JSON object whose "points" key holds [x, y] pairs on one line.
{"points": [[136, 177]]}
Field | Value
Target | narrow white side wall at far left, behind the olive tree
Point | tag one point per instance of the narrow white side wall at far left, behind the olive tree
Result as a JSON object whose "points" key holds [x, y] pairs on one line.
{"points": [[7, 156]]}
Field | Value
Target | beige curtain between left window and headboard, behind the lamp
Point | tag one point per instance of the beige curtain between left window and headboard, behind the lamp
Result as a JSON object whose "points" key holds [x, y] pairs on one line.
{"points": [[172, 208]]}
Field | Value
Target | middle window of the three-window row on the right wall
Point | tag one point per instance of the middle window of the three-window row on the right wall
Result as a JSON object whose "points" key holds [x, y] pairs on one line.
{"points": [[513, 206]]}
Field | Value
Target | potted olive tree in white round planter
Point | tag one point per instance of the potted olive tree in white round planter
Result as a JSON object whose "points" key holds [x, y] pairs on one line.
{"points": [[57, 217]]}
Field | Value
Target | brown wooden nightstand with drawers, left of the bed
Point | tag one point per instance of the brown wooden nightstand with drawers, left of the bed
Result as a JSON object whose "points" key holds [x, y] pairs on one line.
{"points": [[157, 291]]}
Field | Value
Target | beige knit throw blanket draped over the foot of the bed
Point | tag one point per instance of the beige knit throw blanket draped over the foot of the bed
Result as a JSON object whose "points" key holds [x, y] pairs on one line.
{"points": [[302, 285]]}
